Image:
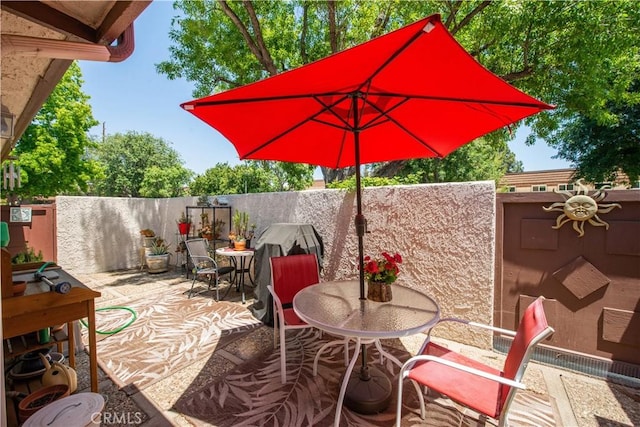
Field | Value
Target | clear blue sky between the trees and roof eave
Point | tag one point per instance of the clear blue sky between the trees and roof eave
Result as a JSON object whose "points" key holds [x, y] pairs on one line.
{"points": [[132, 96]]}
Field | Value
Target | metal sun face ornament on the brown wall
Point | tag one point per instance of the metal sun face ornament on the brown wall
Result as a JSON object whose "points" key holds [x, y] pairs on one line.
{"points": [[579, 207]]}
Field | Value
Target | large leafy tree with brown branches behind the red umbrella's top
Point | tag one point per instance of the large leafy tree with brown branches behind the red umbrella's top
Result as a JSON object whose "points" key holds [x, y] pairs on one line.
{"points": [[578, 55]]}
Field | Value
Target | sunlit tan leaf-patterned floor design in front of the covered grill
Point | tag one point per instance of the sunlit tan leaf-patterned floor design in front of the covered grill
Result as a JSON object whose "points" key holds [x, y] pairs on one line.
{"points": [[170, 333]]}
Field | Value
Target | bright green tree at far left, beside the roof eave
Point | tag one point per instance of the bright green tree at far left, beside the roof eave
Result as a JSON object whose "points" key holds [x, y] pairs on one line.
{"points": [[52, 152]]}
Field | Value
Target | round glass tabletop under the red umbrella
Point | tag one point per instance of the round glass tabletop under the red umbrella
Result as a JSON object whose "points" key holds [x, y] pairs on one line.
{"points": [[336, 307]]}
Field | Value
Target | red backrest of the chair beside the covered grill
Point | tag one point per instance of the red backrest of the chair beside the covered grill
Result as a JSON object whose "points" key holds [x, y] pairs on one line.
{"points": [[291, 273]]}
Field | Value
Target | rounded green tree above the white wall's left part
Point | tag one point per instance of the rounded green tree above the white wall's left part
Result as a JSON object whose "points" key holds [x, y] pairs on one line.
{"points": [[140, 165]]}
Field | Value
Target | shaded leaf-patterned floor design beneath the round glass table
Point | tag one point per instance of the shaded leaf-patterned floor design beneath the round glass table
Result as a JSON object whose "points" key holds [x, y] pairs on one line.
{"points": [[252, 394]]}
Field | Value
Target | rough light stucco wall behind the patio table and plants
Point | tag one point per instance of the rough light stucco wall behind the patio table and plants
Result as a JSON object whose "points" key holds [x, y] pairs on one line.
{"points": [[445, 233]]}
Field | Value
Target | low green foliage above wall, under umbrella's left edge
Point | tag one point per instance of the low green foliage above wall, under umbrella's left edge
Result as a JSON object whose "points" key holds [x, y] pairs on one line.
{"points": [[253, 177]]}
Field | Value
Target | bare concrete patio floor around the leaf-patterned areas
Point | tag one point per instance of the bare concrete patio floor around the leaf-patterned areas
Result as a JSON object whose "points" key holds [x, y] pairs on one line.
{"points": [[578, 400]]}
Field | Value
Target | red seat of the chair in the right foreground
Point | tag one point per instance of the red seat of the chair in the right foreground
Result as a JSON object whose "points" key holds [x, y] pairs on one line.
{"points": [[470, 390]]}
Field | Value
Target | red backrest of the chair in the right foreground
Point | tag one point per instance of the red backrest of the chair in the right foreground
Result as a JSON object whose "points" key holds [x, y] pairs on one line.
{"points": [[532, 329]]}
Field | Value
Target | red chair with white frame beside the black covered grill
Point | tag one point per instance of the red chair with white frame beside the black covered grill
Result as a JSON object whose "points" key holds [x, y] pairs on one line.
{"points": [[290, 274]]}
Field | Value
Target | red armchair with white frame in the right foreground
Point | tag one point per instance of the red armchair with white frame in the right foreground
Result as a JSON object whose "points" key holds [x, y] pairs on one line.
{"points": [[471, 383]]}
